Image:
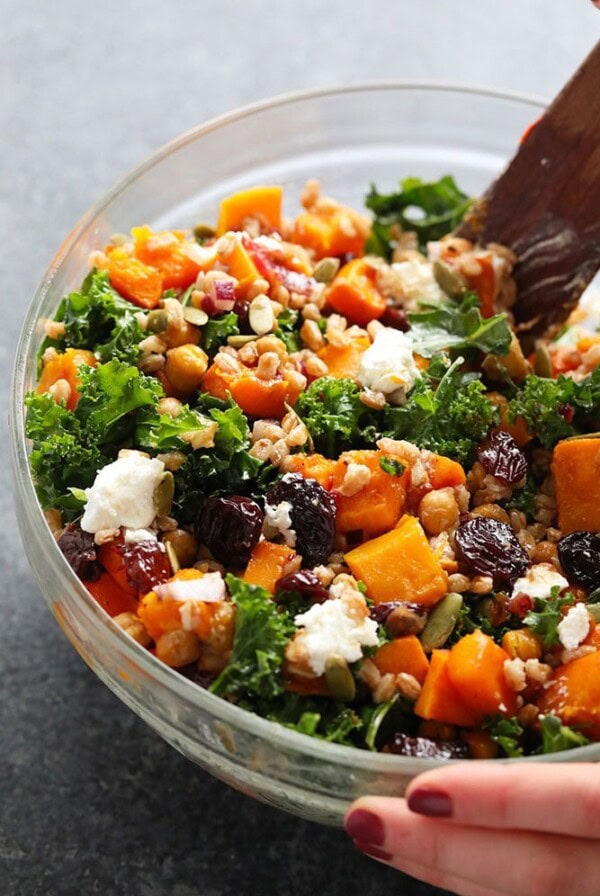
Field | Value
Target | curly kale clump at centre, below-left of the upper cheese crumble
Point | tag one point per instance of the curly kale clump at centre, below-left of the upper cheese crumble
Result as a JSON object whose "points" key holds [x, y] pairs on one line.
{"points": [[335, 416]]}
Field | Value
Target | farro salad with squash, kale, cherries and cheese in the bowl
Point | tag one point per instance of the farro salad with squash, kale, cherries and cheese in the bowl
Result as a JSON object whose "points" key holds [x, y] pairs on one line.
{"points": [[307, 464]]}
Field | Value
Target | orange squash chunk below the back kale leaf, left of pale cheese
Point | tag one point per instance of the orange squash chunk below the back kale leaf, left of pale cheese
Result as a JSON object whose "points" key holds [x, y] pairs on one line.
{"points": [[354, 294]]}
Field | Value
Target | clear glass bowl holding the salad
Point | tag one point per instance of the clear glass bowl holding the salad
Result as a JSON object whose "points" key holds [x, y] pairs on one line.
{"points": [[346, 138]]}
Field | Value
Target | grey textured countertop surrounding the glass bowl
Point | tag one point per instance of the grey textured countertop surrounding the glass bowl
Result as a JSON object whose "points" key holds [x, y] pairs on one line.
{"points": [[91, 800]]}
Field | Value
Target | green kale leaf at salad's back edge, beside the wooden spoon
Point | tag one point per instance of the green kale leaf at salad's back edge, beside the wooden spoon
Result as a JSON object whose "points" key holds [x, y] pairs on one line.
{"points": [[430, 209]]}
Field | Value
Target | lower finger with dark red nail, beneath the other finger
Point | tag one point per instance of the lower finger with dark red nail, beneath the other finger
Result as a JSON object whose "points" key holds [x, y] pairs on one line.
{"points": [[520, 863]]}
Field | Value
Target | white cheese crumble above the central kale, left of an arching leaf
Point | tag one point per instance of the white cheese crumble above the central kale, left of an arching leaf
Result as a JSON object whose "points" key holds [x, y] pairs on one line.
{"points": [[388, 364]]}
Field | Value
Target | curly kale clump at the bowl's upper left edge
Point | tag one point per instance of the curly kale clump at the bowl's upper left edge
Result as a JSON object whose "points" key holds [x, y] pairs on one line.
{"points": [[98, 319]]}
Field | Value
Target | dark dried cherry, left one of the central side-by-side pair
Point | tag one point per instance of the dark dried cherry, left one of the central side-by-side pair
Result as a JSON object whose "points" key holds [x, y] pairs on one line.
{"points": [[230, 528]]}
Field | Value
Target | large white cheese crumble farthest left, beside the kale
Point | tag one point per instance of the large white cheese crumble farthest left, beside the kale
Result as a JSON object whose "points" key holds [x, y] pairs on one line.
{"points": [[123, 494]]}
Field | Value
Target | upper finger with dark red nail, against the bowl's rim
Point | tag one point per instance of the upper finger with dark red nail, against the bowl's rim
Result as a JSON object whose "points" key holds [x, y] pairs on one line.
{"points": [[559, 799]]}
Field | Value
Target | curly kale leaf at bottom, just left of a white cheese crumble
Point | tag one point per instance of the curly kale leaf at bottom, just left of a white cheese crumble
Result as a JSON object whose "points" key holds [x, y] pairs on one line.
{"points": [[262, 631]]}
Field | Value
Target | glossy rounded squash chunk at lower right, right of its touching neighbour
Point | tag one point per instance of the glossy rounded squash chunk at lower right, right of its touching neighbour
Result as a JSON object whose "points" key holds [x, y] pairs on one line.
{"points": [[476, 669]]}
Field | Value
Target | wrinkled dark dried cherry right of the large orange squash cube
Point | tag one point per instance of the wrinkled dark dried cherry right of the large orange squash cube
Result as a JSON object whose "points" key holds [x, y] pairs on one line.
{"points": [[491, 548]]}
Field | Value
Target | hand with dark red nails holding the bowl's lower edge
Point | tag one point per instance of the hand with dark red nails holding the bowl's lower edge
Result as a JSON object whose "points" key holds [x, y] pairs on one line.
{"points": [[486, 830]]}
